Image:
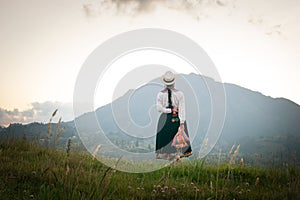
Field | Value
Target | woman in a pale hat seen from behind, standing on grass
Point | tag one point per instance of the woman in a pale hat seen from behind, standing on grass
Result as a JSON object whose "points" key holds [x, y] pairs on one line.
{"points": [[170, 102]]}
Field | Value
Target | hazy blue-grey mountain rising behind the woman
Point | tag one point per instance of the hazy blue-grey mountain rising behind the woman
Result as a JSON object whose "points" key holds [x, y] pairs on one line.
{"points": [[265, 127]]}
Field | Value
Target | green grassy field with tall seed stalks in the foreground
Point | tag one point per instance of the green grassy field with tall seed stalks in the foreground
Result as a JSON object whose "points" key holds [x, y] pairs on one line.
{"points": [[29, 171]]}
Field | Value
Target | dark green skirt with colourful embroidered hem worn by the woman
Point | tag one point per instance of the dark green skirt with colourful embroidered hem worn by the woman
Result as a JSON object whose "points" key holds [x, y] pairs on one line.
{"points": [[166, 130]]}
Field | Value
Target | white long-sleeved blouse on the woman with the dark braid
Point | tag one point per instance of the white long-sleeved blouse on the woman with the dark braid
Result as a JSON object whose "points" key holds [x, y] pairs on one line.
{"points": [[177, 101]]}
